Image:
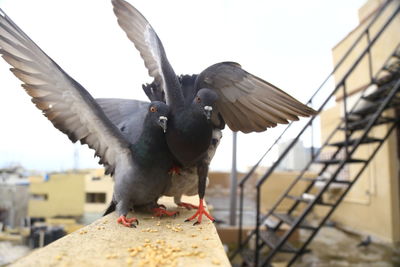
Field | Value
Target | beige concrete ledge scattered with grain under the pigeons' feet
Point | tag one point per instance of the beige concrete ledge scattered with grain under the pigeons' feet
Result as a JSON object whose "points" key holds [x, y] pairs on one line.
{"points": [[155, 242]]}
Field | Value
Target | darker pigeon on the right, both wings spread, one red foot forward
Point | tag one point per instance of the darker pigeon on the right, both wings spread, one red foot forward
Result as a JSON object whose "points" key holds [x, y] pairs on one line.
{"points": [[223, 93]]}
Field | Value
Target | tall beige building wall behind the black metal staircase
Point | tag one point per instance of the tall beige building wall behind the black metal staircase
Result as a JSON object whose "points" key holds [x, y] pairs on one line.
{"points": [[374, 199]]}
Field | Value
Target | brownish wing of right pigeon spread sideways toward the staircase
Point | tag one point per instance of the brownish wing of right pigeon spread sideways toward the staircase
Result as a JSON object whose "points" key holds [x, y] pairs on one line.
{"points": [[248, 103]]}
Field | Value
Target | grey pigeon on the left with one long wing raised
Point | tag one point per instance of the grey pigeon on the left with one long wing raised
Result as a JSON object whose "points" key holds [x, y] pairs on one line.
{"points": [[139, 164]]}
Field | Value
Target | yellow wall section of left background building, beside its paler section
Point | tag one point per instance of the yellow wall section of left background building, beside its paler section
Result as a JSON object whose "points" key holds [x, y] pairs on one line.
{"points": [[65, 195]]}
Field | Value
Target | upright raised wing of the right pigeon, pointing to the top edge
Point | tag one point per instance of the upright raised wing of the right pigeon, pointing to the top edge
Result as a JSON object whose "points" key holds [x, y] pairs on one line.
{"points": [[145, 39]]}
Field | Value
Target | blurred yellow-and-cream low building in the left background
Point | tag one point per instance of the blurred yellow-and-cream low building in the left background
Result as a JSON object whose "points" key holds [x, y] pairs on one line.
{"points": [[70, 194]]}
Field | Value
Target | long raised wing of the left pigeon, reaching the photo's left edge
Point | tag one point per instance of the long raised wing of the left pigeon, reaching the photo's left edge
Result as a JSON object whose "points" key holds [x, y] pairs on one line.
{"points": [[62, 100]]}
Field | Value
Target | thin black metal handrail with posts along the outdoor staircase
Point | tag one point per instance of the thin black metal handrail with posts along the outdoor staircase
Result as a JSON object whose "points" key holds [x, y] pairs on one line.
{"points": [[366, 33]]}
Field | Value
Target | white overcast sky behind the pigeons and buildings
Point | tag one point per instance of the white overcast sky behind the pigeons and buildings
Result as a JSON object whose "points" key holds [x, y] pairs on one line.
{"points": [[287, 43]]}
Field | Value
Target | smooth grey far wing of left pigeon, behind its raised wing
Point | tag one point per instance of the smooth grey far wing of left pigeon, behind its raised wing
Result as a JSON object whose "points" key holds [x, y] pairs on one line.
{"points": [[127, 114]]}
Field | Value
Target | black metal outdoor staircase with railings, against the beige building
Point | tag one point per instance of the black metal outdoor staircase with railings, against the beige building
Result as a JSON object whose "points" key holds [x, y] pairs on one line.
{"points": [[341, 151]]}
